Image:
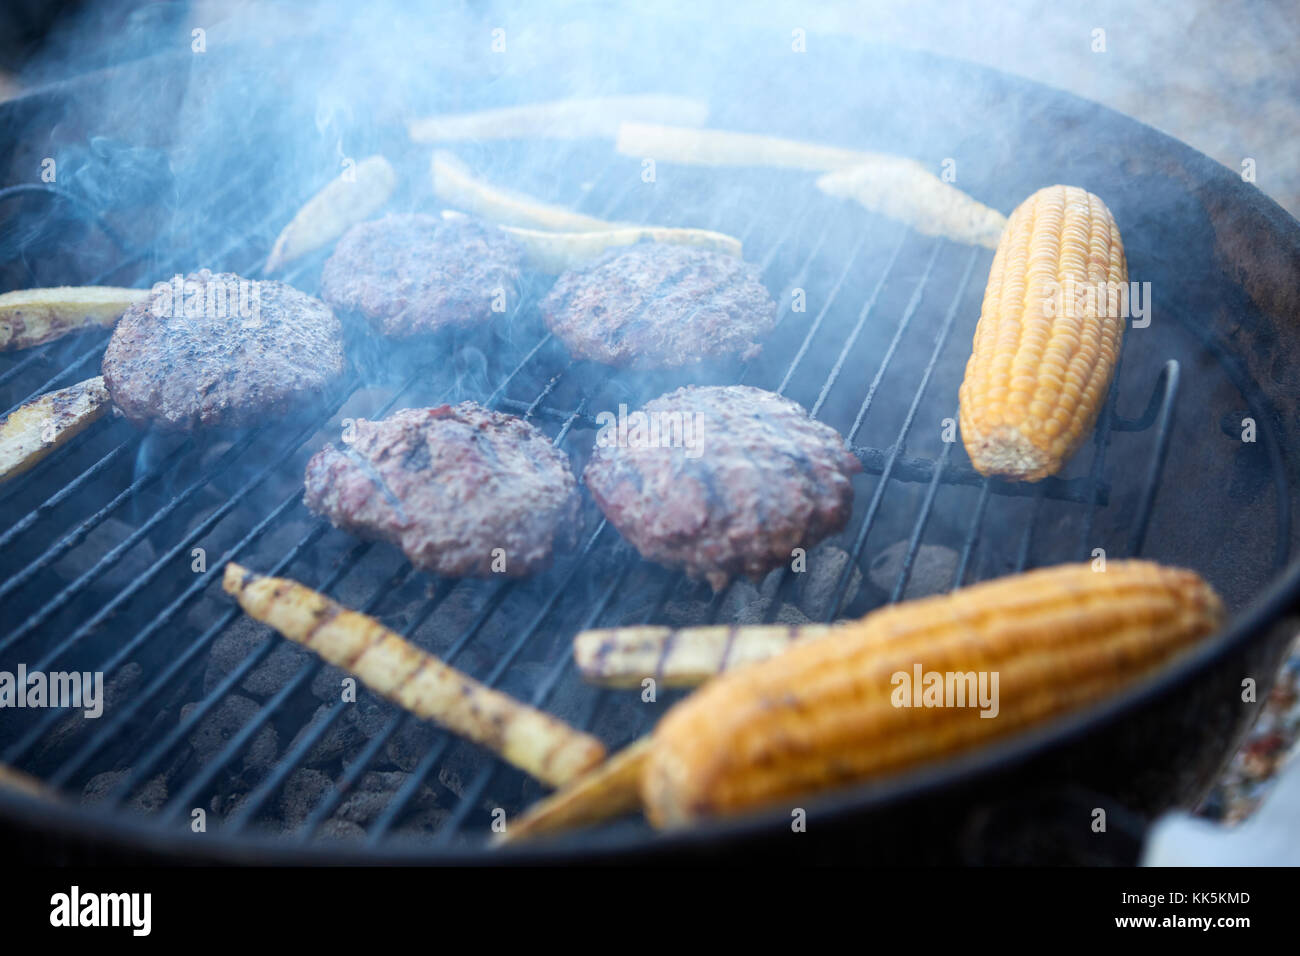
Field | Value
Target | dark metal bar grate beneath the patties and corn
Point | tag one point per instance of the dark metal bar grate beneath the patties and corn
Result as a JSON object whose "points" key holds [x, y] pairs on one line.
{"points": [[183, 494]]}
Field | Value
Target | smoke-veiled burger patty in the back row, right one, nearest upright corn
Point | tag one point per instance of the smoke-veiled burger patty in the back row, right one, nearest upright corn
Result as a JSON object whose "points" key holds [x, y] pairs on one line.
{"points": [[661, 306]]}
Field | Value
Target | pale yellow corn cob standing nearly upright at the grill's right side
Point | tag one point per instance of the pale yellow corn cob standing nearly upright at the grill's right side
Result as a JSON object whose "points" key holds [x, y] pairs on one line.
{"points": [[1042, 365]]}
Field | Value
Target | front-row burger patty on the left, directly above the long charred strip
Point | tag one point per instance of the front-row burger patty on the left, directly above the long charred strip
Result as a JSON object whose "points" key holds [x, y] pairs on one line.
{"points": [[461, 490]]}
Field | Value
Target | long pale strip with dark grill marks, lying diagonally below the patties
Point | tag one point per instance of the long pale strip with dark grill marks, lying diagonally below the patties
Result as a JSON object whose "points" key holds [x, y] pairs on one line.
{"points": [[387, 663]]}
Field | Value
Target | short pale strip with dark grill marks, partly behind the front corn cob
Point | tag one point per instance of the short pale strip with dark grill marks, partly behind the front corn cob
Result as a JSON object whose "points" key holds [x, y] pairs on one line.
{"points": [[684, 657]]}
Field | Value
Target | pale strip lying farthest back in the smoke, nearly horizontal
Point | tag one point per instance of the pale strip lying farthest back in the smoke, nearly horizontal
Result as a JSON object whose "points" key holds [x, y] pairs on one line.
{"points": [[571, 119]]}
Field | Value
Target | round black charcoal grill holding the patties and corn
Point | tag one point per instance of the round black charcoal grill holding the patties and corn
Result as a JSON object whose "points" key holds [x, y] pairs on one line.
{"points": [[98, 561]]}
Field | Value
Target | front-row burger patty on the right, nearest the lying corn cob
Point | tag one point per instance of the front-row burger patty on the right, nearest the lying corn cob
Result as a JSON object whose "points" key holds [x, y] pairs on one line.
{"points": [[722, 481]]}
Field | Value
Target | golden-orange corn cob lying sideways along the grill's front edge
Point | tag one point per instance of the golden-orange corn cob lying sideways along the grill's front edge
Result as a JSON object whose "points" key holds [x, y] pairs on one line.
{"points": [[835, 711]]}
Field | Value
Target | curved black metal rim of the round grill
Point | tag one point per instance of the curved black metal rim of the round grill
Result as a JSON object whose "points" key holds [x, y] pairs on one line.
{"points": [[1250, 626]]}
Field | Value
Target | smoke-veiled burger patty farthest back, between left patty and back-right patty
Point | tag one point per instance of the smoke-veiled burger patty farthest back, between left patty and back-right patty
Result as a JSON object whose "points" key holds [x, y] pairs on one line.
{"points": [[411, 275]]}
